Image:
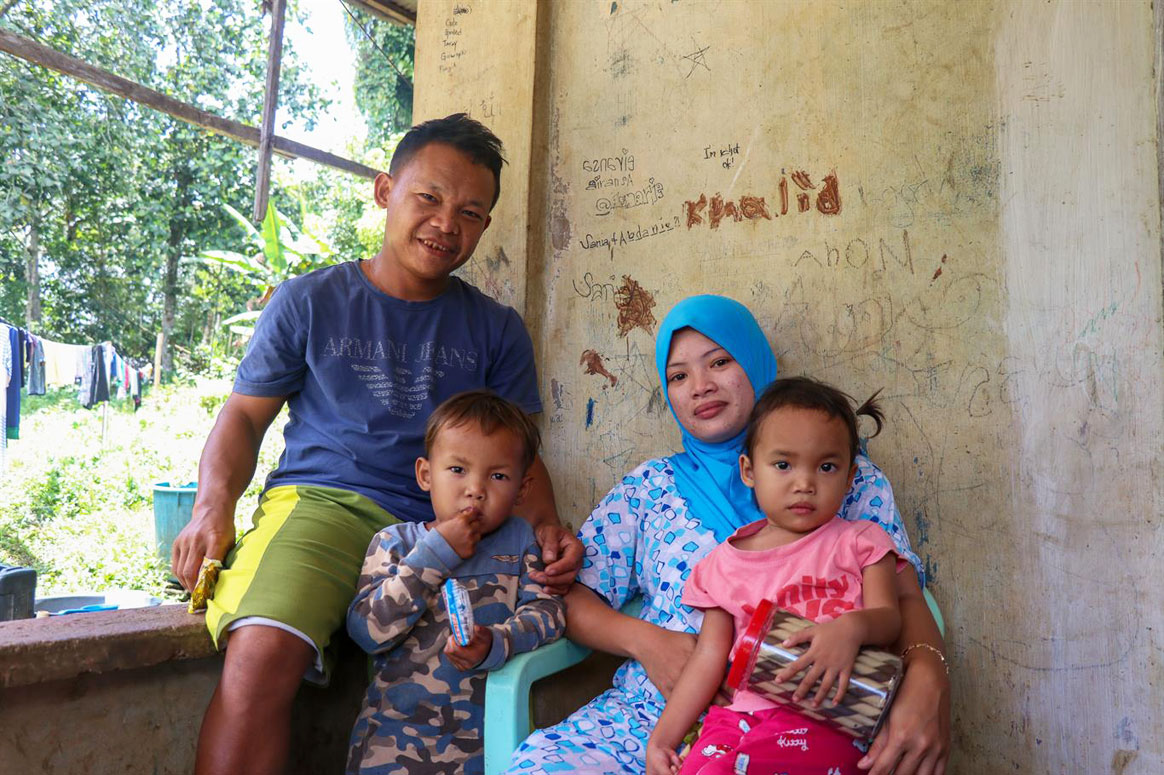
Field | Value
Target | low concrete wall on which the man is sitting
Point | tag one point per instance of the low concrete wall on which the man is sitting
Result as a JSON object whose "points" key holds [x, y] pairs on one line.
{"points": [[124, 692]]}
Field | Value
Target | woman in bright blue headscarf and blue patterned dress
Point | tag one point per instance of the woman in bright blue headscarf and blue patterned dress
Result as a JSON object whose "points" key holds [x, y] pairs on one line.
{"points": [[666, 516]]}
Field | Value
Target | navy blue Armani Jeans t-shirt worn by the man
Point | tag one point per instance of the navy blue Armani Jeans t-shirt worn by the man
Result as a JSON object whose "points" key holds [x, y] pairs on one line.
{"points": [[364, 371]]}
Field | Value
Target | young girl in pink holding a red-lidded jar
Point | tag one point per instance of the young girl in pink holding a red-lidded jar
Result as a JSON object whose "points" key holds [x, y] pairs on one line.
{"points": [[798, 459]]}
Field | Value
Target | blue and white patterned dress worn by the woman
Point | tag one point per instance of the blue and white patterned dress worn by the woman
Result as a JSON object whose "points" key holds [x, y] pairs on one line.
{"points": [[642, 541]]}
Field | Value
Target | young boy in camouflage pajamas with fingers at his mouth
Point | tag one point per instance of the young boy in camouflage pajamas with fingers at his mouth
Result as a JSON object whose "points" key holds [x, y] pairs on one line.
{"points": [[424, 713]]}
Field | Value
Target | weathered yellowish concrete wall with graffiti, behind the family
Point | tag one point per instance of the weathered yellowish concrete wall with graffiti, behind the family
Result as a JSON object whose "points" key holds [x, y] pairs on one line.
{"points": [[981, 239]]}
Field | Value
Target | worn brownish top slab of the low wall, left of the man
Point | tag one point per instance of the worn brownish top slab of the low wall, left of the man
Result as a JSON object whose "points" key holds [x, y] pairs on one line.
{"points": [[58, 649]]}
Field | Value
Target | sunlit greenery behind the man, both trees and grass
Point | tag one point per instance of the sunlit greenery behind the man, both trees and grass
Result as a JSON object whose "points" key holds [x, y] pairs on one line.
{"points": [[105, 207]]}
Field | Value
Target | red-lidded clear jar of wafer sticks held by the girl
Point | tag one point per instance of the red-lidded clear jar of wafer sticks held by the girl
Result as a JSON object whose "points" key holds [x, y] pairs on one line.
{"points": [[760, 657]]}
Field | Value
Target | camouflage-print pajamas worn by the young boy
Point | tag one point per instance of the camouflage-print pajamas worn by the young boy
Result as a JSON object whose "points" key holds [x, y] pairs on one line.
{"points": [[422, 715]]}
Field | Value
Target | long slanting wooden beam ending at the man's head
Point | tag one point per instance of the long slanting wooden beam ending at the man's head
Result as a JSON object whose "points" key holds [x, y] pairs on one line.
{"points": [[53, 60]]}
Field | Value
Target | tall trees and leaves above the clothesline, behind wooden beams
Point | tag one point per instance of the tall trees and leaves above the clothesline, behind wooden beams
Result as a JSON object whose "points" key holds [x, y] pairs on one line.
{"points": [[111, 202]]}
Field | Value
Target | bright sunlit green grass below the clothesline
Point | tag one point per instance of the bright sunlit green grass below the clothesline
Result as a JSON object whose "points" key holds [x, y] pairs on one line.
{"points": [[76, 496]]}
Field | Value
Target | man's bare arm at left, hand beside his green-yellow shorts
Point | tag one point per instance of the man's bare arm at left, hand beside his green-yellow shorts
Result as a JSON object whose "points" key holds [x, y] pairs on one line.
{"points": [[224, 472]]}
